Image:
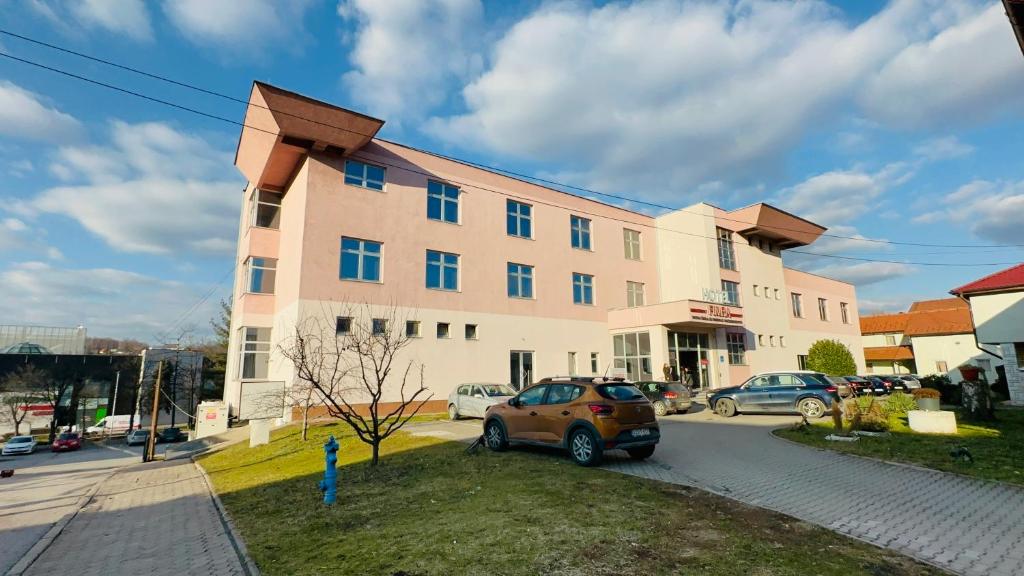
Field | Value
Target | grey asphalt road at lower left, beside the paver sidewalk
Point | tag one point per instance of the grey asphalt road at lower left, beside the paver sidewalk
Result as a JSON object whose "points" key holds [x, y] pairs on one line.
{"points": [[48, 486]]}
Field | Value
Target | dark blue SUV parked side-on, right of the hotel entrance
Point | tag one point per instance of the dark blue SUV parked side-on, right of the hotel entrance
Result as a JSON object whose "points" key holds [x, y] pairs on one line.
{"points": [[810, 394]]}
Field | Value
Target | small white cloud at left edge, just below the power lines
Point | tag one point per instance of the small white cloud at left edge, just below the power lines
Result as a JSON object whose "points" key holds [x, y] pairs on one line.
{"points": [[24, 115]]}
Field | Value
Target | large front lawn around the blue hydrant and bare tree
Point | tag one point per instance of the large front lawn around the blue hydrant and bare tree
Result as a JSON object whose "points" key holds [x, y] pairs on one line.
{"points": [[432, 509]]}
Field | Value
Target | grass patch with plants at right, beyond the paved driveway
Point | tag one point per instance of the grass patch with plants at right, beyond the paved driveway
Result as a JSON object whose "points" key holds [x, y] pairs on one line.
{"points": [[998, 447]]}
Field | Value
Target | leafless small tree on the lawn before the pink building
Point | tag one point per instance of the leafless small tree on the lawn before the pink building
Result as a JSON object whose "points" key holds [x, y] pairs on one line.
{"points": [[352, 371]]}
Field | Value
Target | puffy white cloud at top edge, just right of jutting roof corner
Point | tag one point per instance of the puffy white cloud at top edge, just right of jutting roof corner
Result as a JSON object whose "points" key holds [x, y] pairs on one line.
{"points": [[407, 54]]}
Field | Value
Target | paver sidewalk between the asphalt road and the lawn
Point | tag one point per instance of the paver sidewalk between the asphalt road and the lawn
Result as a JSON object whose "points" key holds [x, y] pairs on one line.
{"points": [[154, 520]]}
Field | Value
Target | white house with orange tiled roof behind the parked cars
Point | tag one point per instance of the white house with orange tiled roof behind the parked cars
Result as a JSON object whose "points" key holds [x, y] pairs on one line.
{"points": [[932, 338]]}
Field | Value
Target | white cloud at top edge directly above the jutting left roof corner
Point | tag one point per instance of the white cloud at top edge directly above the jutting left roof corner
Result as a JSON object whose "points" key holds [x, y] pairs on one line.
{"points": [[252, 27]]}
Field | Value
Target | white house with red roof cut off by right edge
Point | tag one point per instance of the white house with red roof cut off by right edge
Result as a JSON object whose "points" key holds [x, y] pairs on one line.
{"points": [[998, 309]]}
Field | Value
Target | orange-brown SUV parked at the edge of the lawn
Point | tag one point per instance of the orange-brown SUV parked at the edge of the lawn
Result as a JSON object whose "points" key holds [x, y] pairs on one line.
{"points": [[585, 417]]}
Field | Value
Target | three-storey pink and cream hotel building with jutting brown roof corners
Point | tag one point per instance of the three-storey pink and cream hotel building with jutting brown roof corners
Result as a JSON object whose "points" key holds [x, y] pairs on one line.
{"points": [[507, 281]]}
